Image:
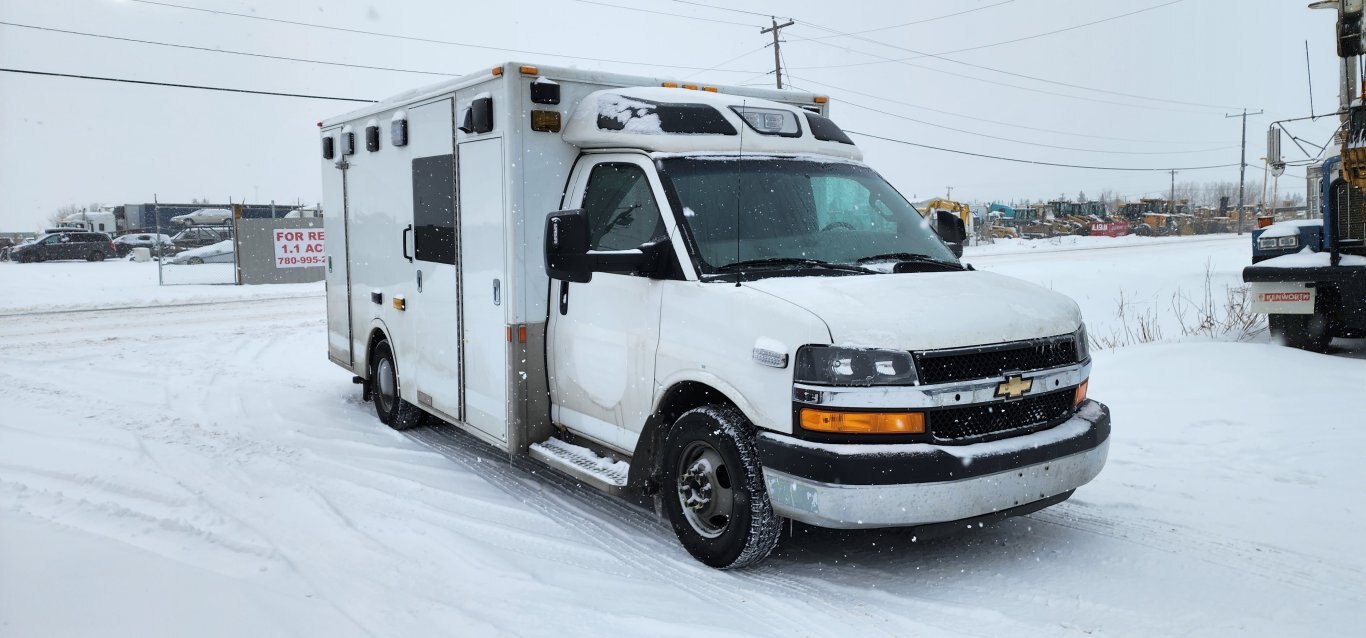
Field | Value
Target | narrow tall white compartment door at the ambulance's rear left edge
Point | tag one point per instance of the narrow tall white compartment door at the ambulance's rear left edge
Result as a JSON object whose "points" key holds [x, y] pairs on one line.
{"points": [[339, 267]]}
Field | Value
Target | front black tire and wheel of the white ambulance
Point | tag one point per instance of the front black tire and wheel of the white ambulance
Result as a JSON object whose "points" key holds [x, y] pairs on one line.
{"points": [[710, 454]]}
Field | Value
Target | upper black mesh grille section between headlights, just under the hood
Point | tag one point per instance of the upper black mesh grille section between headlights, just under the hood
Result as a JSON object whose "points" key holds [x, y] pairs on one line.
{"points": [[940, 367]]}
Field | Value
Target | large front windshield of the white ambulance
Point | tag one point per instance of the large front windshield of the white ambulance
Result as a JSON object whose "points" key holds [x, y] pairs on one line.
{"points": [[782, 210]]}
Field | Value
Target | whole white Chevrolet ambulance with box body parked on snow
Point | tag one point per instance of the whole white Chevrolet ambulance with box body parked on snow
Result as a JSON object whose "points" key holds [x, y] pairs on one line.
{"points": [[697, 296]]}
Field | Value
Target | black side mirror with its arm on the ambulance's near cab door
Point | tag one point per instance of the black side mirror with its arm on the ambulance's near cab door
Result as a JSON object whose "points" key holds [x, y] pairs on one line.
{"points": [[570, 259]]}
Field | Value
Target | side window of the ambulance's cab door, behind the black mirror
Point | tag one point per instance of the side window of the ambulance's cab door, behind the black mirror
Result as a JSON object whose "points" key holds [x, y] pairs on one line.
{"points": [[621, 208]]}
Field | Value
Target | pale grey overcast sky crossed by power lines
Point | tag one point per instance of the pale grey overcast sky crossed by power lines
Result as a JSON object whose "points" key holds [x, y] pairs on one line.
{"points": [[69, 141]]}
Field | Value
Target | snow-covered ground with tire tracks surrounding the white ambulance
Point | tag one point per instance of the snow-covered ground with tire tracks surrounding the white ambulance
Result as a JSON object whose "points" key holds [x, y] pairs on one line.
{"points": [[201, 469]]}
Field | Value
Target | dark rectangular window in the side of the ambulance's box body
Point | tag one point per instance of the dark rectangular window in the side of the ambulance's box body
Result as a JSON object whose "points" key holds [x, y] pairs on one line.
{"points": [[434, 210]]}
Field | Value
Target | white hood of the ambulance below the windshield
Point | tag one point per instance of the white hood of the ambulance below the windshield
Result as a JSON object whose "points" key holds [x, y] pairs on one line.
{"points": [[928, 311]]}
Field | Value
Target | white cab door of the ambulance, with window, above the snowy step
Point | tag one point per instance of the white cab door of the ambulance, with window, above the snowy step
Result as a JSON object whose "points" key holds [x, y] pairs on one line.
{"points": [[604, 334]]}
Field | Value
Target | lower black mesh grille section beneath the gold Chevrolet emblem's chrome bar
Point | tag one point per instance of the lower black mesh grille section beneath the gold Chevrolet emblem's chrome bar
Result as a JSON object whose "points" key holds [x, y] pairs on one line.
{"points": [[986, 420]]}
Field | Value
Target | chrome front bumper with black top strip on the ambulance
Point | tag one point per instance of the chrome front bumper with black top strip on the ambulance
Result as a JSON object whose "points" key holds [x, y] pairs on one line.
{"points": [[869, 486]]}
